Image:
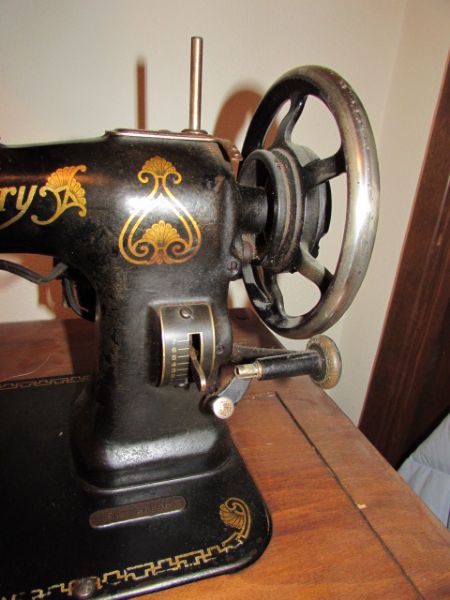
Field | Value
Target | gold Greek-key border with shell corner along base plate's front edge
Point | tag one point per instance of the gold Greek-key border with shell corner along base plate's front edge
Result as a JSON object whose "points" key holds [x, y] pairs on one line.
{"points": [[234, 513]]}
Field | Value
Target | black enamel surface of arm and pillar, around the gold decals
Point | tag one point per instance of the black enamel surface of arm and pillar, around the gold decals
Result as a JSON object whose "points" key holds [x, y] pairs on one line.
{"points": [[124, 426]]}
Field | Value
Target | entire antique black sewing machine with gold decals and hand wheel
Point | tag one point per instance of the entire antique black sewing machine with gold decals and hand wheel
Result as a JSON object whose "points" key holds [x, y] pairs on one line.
{"points": [[128, 481]]}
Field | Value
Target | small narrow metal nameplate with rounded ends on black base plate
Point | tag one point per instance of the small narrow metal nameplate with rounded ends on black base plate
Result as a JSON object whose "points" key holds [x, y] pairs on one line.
{"points": [[136, 512]]}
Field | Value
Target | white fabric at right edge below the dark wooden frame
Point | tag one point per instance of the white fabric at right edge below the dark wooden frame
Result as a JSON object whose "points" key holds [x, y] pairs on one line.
{"points": [[427, 471]]}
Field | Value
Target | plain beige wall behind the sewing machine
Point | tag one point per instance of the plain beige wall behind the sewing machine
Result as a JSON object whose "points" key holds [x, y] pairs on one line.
{"points": [[67, 70]]}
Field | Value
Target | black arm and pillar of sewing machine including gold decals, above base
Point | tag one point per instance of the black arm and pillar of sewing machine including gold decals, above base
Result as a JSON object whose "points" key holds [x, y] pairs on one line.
{"points": [[92, 236]]}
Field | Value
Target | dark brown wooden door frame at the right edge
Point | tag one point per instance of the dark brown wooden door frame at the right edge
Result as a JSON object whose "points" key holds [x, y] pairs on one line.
{"points": [[409, 390]]}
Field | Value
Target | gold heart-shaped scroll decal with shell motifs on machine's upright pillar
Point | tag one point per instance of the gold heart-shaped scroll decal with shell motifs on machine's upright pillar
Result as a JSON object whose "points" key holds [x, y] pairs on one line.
{"points": [[144, 241]]}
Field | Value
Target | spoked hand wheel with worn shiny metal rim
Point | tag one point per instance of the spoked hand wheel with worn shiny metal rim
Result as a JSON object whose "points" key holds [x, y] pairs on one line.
{"points": [[299, 201]]}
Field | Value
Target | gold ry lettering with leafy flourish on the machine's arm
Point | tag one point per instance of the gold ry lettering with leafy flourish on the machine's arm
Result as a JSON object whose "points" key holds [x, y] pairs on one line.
{"points": [[62, 191]]}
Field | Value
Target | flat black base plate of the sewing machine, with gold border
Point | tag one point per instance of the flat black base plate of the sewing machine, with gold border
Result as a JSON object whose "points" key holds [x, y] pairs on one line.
{"points": [[59, 540]]}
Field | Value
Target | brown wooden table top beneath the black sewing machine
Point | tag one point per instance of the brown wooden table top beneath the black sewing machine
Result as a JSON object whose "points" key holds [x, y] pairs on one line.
{"points": [[344, 523]]}
